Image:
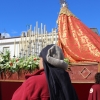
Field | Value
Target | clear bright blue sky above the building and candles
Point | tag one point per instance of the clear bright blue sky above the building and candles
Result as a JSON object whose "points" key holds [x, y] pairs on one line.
{"points": [[16, 14]]}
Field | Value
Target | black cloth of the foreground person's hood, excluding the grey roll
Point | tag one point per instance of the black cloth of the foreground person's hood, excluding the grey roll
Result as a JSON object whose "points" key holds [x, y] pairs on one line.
{"points": [[60, 86]]}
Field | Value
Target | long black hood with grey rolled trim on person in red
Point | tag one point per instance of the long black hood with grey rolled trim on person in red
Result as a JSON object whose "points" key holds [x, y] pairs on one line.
{"points": [[60, 86]]}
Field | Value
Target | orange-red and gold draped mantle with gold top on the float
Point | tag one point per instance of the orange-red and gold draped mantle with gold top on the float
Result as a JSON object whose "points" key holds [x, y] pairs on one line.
{"points": [[78, 42]]}
